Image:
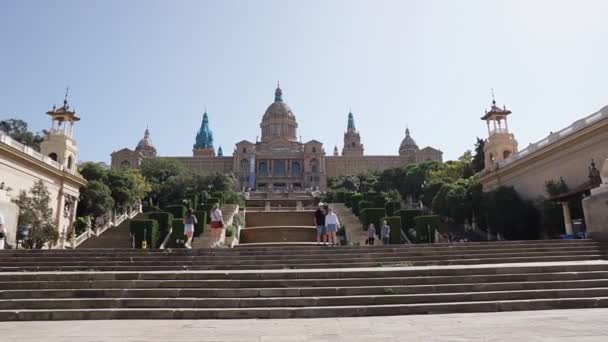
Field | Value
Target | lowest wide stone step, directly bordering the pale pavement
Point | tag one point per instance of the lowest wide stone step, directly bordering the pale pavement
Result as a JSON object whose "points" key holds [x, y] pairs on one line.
{"points": [[305, 312]]}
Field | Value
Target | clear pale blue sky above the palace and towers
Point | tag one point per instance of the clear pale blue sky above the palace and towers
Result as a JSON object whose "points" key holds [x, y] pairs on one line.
{"points": [[425, 64]]}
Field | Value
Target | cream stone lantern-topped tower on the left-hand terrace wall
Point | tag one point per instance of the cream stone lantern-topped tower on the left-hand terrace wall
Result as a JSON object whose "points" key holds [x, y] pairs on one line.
{"points": [[60, 145]]}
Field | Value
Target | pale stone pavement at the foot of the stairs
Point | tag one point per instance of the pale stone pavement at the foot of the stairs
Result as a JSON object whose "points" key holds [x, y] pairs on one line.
{"points": [[556, 325]]}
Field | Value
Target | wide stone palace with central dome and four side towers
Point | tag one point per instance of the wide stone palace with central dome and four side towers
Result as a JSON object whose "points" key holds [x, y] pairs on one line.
{"points": [[279, 160]]}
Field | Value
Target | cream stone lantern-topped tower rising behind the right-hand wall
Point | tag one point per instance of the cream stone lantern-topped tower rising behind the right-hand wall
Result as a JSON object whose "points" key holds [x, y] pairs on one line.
{"points": [[500, 143]]}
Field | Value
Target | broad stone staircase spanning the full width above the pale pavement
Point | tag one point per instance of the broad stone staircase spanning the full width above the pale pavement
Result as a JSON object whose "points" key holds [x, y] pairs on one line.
{"points": [[301, 282]]}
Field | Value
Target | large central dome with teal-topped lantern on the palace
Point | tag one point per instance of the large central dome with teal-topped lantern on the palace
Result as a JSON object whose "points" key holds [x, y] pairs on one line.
{"points": [[279, 122]]}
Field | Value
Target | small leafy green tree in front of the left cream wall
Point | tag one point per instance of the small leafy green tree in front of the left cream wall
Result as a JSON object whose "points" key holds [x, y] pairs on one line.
{"points": [[35, 210]]}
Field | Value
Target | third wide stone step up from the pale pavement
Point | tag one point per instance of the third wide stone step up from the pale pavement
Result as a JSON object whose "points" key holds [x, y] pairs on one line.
{"points": [[378, 289]]}
